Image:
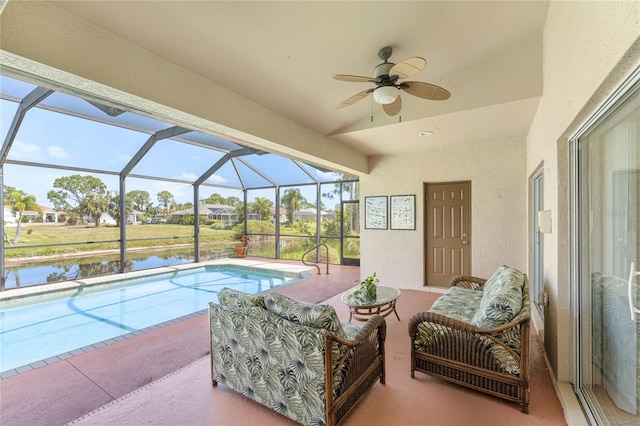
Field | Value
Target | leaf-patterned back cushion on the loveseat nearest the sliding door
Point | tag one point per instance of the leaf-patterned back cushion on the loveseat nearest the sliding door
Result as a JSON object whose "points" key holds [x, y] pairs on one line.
{"points": [[501, 299]]}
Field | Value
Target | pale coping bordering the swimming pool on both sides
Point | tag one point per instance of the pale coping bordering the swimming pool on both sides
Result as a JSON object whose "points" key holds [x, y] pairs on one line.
{"points": [[287, 269]]}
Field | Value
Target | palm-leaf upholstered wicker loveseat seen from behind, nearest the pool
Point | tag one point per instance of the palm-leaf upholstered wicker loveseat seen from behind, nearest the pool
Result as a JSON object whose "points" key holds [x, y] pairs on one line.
{"points": [[295, 358]]}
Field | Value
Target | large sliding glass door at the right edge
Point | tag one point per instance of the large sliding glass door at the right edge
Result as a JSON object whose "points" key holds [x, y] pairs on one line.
{"points": [[606, 250]]}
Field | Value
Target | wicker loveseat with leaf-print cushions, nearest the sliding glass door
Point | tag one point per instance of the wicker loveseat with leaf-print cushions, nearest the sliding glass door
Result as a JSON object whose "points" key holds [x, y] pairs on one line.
{"points": [[477, 334]]}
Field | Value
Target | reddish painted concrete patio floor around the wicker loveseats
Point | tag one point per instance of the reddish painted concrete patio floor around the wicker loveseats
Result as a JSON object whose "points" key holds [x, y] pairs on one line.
{"points": [[163, 377]]}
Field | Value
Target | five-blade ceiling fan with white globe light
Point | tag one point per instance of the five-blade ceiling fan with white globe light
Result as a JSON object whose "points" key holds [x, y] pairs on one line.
{"points": [[387, 90]]}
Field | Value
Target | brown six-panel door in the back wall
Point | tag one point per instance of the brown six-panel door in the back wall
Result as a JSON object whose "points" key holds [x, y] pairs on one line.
{"points": [[447, 231]]}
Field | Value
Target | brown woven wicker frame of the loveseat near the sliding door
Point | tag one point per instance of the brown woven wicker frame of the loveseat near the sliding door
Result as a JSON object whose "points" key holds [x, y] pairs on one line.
{"points": [[491, 360]]}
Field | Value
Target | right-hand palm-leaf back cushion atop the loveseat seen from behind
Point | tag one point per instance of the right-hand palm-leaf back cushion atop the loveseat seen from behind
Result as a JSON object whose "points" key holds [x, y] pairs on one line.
{"points": [[311, 315]]}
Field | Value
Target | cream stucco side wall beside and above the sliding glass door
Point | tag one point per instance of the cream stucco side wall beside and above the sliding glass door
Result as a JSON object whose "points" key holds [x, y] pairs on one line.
{"points": [[584, 43]]}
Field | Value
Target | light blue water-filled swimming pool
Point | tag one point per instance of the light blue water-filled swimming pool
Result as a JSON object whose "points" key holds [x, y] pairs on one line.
{"points": [[42, 329]]}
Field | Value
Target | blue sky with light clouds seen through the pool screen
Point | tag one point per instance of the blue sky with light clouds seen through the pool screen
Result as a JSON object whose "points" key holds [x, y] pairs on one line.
{"points": [[61, 140]]}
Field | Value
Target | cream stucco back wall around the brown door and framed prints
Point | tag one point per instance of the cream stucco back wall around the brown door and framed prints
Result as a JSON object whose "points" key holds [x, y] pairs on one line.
{"points": [[496, 170]]}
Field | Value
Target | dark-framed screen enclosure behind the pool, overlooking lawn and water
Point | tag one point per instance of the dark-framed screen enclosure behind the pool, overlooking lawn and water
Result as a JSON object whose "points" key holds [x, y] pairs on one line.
{"points": [[90, 189]]}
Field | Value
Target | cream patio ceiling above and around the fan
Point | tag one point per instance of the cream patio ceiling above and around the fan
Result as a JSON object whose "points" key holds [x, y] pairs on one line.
{"points": [[283, 54]]}
